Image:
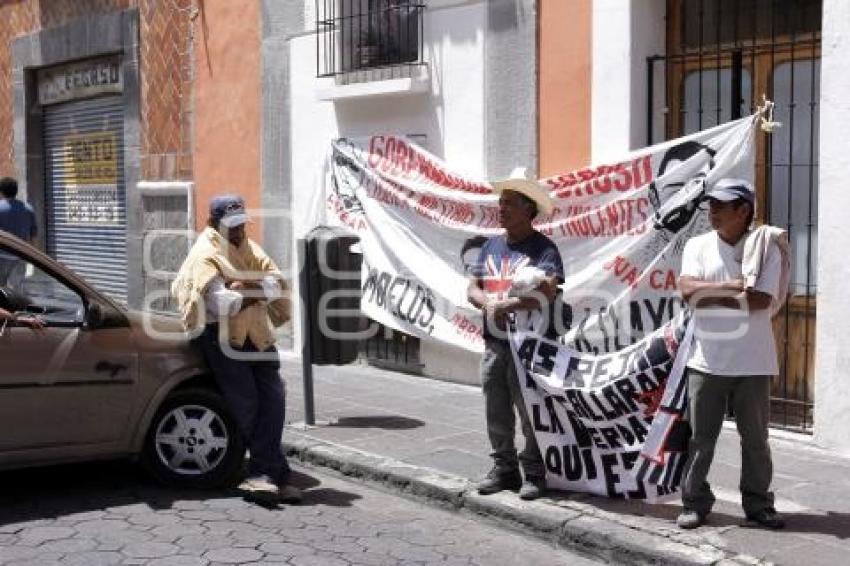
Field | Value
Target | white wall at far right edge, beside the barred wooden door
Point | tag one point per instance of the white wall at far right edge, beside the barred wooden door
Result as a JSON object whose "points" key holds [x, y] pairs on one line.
{"points": [[832, 355]]}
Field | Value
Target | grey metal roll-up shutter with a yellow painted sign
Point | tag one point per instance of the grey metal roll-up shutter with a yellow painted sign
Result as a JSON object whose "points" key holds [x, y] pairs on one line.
{"points": [[86, 197]]}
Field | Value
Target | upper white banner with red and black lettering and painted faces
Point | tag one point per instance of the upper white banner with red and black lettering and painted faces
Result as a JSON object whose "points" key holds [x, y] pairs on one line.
{"points": [[620, 228]]}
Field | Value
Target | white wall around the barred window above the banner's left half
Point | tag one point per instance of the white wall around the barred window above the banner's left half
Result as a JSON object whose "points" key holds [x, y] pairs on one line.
{"points": [[451, 117]]}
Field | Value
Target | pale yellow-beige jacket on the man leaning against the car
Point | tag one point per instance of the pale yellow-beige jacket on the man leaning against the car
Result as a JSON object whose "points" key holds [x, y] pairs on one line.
{"points": [[212, 256]]}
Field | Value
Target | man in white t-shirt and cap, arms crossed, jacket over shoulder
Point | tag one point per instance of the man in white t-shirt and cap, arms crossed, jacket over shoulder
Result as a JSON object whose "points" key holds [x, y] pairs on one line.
{"points": [[733, 355]]}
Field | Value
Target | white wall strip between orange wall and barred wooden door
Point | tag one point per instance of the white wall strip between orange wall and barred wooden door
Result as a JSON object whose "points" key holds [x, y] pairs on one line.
{"points": [[625, 33]]}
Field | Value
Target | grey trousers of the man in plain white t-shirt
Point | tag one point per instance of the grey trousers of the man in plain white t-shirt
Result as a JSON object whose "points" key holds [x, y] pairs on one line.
{"points": [[707, 398]]}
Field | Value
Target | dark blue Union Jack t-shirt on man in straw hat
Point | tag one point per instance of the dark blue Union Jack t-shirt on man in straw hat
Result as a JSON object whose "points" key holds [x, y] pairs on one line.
{"points": [[498, 261]]}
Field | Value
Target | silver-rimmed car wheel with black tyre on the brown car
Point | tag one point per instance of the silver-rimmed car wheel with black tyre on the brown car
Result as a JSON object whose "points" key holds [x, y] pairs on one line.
{"points": [[193, 441]]}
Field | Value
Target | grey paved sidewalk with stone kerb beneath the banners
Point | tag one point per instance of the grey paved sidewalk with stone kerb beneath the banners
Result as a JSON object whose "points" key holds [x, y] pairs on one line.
{"points": [[428, 437]]}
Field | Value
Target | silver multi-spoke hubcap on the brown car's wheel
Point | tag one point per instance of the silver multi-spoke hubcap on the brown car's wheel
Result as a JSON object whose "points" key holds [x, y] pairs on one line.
{"points": [[191, 439]]}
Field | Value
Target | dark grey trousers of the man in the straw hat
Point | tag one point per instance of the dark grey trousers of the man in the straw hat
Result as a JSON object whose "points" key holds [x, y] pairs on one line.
{"points": [[502, 394]]}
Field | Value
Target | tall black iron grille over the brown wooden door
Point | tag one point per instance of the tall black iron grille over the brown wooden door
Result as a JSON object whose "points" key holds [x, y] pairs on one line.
{"points": [[721, 56]]}
